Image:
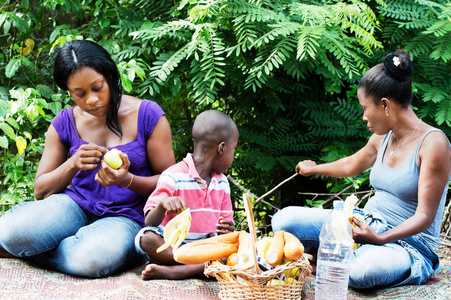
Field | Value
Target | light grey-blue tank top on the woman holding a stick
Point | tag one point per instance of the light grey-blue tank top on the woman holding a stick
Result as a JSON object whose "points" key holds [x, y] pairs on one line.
{"points": [[396, 197]]}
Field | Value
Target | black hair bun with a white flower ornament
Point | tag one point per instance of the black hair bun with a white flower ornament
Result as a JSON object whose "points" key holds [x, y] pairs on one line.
{"points": [[398, 66]]}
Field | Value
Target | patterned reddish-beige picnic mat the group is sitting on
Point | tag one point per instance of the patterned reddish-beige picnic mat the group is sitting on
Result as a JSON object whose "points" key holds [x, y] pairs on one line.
{"points": [[21, 280]]}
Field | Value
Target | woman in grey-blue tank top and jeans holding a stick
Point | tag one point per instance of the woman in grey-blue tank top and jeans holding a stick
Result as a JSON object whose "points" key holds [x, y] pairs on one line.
{"points": [[411, 170]]}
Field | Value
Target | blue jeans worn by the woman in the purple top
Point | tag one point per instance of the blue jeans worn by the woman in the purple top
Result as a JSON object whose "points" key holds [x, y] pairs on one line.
{"points": [[56, 233]]}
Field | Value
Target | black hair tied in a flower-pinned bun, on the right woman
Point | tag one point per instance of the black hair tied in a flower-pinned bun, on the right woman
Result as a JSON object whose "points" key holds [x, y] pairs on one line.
{"points": [[390, 79]]}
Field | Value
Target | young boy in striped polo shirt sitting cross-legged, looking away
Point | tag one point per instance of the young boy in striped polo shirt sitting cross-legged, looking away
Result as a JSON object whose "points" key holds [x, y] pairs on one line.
{"points": [[197, 183]]}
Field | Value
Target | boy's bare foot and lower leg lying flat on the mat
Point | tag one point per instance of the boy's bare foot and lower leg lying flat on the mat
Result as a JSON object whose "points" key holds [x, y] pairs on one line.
{"points": [[173, 272]]}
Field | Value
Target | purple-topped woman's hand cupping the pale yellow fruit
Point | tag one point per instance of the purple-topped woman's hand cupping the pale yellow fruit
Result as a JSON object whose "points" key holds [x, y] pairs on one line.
{"points": [[108, 176]]}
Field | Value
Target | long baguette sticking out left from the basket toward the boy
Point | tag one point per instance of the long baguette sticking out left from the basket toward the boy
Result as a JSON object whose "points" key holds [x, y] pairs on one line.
{"points": [[213, 248]]}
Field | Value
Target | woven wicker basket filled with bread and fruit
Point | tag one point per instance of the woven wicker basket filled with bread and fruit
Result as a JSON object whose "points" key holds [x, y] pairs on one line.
{"points": [[249, 285]]}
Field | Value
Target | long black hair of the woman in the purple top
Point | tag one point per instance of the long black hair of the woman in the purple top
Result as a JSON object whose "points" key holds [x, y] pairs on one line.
{"points": [[83, 53]]}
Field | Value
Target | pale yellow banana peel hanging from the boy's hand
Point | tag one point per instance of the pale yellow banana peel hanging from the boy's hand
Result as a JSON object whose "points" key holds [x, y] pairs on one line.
{"points": [[176, 230]]}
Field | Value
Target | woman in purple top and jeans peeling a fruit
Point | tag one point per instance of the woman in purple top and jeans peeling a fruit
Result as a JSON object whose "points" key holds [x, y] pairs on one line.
{"points": [[88, 213]]}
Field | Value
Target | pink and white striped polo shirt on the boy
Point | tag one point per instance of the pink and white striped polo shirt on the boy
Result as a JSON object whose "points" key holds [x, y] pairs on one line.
{"points": [[206, 203]]}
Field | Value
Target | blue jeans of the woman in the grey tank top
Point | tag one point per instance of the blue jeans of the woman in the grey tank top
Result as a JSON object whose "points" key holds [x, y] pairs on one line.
{"points": [[393, 264]]}
